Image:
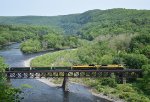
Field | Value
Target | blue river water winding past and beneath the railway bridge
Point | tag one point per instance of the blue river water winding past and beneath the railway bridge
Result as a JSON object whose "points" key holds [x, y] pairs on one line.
{"points": [[42, 90]]}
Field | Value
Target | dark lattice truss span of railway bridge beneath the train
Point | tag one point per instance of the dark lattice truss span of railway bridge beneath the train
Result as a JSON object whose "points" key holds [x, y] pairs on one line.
{"points": [[128, 73]]}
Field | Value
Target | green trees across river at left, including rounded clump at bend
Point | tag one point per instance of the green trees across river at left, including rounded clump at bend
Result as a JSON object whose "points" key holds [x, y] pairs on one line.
{"points": [[36, 38]]}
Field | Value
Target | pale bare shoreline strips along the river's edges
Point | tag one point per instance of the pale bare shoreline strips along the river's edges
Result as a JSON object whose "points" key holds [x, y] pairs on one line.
{"points": [[50, 83]]}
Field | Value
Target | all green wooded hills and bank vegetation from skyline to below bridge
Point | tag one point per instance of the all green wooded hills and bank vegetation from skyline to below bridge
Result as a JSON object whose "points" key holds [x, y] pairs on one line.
{"points": [[115, 36]]}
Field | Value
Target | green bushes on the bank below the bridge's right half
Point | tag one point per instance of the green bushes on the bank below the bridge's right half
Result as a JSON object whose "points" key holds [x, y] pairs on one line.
{"points": [[127, 92]]}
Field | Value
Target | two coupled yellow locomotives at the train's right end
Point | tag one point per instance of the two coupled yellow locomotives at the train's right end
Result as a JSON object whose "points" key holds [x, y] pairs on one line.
{"points": [[97, 67]]}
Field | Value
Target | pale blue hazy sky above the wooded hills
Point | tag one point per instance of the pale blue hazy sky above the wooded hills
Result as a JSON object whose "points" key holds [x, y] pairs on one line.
{"points": [[64, 7]]}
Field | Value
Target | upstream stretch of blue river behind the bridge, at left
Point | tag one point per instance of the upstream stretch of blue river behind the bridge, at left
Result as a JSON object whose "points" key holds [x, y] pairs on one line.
{"points": [[14, 57]]}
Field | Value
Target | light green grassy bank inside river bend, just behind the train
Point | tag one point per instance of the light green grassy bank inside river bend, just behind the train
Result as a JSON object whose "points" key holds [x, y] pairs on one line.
{"points": [[60, 58]]}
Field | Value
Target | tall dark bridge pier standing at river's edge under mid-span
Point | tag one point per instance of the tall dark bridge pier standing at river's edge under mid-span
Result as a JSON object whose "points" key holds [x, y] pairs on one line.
{"points": [[65, 82]]}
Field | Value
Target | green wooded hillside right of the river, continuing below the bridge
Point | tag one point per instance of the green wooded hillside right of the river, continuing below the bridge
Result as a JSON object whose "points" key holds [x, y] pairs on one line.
{"points": [[116, 36]]}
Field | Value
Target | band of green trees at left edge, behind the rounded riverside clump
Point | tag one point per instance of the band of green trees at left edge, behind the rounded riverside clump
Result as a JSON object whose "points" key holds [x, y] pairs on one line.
{"points": [[16, 33]]}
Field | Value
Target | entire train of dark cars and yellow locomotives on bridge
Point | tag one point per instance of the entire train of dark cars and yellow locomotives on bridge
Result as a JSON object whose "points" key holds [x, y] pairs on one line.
{"points": [[75, 67]]}
